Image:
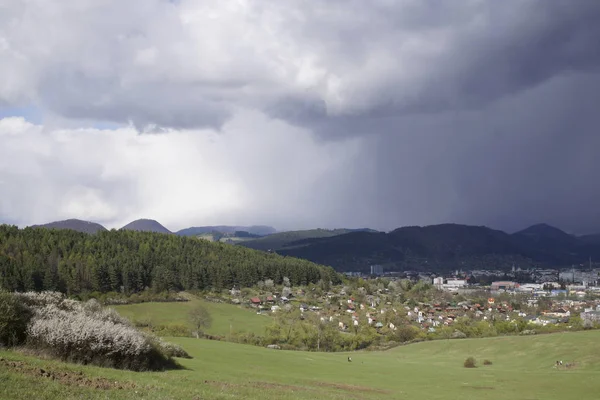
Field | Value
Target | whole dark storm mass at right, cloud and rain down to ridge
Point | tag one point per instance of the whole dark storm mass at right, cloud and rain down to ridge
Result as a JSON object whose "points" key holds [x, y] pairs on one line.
{"points": [[502, 132]]}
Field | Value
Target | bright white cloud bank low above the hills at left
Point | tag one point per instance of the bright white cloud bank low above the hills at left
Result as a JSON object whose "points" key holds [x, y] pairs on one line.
{"points": [[186, 177]]}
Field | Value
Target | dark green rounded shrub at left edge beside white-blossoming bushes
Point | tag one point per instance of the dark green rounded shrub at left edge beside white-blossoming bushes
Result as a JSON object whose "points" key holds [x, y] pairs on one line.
{"points": [[14, 317]]}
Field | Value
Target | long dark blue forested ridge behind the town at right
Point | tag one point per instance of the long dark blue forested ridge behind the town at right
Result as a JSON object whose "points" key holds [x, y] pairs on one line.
{"points": [[442, 247]]}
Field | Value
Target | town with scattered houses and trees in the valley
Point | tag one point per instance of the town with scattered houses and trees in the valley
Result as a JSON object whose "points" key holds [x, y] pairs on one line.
{"points": [[394, 308]]}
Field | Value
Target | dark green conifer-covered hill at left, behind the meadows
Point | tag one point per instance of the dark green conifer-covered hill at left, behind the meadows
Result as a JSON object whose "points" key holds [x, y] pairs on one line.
{"points": [[74, 262]]}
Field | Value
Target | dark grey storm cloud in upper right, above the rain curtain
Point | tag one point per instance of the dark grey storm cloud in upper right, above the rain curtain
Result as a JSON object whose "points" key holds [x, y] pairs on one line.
{"points": [[518, 46]]}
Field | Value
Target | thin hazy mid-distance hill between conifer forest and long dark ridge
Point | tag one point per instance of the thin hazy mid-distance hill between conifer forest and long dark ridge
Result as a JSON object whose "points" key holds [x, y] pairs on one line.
{"points": [[288, 239]]}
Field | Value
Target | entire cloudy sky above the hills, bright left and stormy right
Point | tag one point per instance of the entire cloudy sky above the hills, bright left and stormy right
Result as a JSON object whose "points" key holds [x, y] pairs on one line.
{"points": [[301, 114]]}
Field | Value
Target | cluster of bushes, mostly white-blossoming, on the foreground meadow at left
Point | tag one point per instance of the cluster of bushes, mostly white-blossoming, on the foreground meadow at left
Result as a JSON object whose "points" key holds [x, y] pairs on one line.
{"points": [[85, 333]]}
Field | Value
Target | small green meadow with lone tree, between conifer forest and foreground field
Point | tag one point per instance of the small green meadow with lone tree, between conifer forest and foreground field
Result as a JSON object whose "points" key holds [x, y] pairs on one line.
{"points": [[225, 316]]}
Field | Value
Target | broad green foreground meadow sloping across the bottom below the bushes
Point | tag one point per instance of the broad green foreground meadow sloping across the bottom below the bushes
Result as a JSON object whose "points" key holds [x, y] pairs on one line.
{"points": [[523, 368]]}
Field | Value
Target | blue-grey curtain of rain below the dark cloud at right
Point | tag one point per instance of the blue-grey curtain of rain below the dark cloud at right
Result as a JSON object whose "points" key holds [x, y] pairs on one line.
{"points": [[527, 159]]}
